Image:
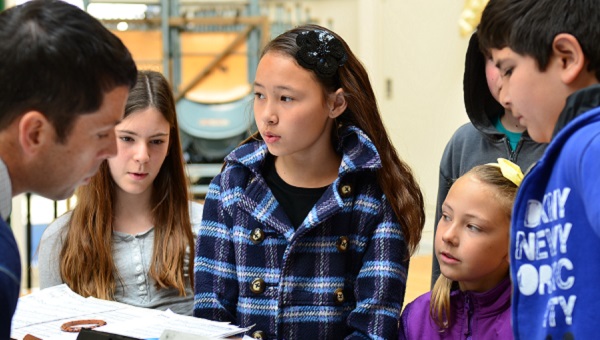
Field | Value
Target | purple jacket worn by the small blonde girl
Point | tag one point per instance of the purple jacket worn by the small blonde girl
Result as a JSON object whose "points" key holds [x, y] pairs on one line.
{"points": [[474, 316]]}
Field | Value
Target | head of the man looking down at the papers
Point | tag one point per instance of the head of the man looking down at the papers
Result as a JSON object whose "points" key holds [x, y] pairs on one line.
{"points": [[64, 80]]}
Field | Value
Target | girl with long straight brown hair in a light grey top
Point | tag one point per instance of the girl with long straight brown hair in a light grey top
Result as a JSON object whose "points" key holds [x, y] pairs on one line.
{"points": [[129, 238]]}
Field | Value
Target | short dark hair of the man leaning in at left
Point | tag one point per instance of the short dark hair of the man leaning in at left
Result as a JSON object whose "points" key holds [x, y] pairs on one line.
{"points": [[57, 59]]}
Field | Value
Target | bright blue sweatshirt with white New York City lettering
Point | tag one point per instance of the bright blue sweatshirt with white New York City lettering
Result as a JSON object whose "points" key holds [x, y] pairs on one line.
{"points": [[555, 234]]}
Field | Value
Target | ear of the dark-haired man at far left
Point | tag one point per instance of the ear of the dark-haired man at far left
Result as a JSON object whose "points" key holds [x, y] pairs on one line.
{"points": [[34, 132]]}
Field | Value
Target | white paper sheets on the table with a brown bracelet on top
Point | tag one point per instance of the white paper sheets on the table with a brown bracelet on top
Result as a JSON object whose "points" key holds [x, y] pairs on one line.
{"points": [[42, 313]]}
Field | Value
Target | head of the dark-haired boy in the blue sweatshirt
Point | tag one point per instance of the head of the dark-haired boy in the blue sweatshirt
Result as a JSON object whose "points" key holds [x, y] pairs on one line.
{"points": [[545, 50]]}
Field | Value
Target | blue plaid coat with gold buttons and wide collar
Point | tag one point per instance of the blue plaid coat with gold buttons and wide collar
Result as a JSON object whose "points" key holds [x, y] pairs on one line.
{"points": [[342, 273]]}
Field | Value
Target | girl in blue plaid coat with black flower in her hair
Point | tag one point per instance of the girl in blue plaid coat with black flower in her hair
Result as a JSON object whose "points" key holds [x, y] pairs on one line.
{"points": [[308, 229]]}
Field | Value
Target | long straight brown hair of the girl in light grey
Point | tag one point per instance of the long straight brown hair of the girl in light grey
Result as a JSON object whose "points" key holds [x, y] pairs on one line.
{"points": [[86, 262]]}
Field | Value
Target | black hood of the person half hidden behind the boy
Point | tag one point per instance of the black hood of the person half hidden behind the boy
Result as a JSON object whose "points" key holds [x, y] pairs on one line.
{"points": [[482, 109]]}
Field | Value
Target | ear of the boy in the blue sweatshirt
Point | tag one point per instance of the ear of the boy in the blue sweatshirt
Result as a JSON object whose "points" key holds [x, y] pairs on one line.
{"points": [[568, 50]]}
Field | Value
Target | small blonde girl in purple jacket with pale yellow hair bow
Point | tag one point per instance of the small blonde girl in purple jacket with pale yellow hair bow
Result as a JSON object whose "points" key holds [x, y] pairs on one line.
{"points": [[471, 299]]}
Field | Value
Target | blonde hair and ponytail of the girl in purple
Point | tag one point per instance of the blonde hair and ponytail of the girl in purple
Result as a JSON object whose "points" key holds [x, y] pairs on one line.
{"points": [[505, 192]]}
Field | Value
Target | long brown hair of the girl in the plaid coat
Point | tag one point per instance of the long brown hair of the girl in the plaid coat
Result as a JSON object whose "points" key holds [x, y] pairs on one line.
{"points": [[395, 177]]}
